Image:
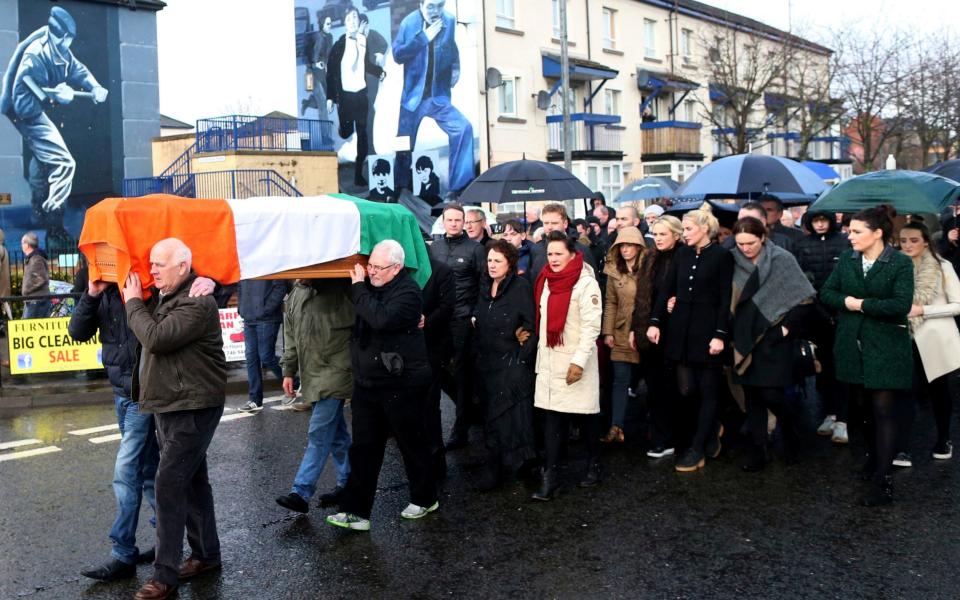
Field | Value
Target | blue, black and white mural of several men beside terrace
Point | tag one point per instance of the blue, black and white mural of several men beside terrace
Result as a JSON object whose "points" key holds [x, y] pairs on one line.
{"points": [[387, 75]]}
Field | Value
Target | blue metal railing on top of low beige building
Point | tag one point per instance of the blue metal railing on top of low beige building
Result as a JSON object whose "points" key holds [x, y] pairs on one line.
{"points": [[244, 132]]}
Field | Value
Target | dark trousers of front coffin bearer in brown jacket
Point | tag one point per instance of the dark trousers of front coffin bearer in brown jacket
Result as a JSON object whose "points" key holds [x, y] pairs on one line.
{"points": [[184, 496]]}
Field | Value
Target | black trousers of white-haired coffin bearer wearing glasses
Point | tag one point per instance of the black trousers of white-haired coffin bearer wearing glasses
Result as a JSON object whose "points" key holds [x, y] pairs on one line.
{"points": [[378, 413]]}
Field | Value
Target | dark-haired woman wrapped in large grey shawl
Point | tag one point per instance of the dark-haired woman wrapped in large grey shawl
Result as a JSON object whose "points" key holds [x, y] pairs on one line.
{"points": [[771, 298]]}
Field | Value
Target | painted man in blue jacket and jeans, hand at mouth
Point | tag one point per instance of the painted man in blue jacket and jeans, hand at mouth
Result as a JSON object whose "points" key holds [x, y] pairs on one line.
{"points": [[426, 47]]}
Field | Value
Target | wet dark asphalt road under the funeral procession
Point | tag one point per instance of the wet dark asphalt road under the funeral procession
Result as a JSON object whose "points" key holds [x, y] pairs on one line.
{"points": [[646, 532]]}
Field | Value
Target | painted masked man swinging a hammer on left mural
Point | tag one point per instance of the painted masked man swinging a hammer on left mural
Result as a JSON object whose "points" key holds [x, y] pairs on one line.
{"points": [[43, 72]]}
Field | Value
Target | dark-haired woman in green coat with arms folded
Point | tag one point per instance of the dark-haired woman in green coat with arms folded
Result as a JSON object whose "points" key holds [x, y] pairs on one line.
{"points": [[872, 288]]}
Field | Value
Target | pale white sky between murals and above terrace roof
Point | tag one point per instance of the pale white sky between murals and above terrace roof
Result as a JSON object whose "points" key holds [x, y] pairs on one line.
{"points": [[221, 57]]}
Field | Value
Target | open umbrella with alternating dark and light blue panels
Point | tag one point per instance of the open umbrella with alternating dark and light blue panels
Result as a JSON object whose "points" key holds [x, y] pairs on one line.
{"points": [[751, 176]]}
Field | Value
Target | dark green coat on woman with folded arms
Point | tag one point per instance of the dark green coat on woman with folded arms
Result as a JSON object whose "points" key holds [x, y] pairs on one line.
{"points": [[872, 347]]}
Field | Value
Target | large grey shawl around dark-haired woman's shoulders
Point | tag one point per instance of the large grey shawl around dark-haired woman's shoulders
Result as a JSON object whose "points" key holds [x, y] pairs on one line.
{"points": [[763, 293]]}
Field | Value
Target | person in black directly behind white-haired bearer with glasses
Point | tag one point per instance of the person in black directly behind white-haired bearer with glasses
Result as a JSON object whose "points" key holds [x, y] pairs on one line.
{"points": [[439, 303]]}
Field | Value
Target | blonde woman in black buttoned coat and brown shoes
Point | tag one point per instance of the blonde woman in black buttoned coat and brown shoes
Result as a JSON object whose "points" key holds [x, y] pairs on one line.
{"points": [[698, 288]]}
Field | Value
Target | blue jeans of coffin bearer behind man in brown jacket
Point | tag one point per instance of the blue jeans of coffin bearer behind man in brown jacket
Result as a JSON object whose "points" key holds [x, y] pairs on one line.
{"points": [[133, 475]]}
